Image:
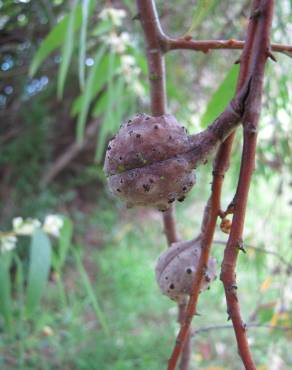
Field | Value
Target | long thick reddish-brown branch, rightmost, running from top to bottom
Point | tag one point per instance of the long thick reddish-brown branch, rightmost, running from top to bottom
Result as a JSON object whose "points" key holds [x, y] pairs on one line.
{"points": [[262, 18]]}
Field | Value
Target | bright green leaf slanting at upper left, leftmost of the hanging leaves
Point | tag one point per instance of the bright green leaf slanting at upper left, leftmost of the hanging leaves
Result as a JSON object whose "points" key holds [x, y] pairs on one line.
{"points": [[55, 38]]}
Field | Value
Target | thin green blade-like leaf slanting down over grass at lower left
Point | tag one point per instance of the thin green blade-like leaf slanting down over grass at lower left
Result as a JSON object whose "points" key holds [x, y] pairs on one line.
{"points": [[91, 293]]}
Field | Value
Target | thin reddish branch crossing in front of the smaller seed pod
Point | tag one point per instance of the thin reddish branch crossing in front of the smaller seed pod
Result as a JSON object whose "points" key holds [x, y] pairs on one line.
{"points": [[212, 210]]}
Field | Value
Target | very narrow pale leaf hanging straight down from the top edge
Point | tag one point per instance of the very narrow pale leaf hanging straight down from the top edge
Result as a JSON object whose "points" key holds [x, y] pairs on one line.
{"points": [[82, 48]]}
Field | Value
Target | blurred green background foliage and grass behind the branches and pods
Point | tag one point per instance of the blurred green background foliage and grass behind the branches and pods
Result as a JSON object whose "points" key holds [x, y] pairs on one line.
{"points": [[71, 72]]}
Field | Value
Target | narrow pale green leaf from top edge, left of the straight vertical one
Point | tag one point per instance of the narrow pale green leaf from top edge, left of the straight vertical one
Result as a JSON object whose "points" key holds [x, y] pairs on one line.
{"points": [[67, 51]]}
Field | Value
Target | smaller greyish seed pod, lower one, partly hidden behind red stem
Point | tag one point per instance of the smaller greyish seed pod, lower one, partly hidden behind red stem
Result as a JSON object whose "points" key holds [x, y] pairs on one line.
{"points": [[176, 267]]}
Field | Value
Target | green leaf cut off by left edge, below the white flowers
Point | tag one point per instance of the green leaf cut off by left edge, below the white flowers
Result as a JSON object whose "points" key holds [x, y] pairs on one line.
{"points": [[5, 289]]}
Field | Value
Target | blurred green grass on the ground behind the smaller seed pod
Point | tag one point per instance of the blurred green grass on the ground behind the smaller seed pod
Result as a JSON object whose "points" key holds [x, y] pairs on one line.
{"points": [[105, 312]]}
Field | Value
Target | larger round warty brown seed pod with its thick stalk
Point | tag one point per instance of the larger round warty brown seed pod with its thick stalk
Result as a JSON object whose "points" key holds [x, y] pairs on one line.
{"points": [[150, 161]]}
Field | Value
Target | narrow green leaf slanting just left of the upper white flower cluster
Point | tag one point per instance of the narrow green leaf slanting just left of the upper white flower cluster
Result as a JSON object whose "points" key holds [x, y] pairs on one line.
{"points": [[88, 94]]}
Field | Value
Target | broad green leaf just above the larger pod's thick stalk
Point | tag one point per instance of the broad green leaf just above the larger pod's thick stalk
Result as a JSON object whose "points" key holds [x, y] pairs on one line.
{"points": [[221, 96]]}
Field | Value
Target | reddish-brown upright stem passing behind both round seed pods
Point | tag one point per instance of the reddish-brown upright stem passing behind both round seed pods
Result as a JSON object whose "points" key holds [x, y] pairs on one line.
{"points": [[156, 70]]}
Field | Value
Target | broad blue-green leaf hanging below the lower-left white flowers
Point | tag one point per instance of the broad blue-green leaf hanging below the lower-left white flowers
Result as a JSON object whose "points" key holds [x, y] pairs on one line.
{"points": [[39, 267]]}
